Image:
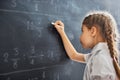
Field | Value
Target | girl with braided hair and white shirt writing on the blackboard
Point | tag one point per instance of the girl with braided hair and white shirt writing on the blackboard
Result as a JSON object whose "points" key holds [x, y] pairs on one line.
{"points": [[99, 33]]}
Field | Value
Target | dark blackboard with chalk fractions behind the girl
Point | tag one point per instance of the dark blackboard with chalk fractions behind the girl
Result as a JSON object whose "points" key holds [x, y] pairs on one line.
{"points": [[30, 47]]}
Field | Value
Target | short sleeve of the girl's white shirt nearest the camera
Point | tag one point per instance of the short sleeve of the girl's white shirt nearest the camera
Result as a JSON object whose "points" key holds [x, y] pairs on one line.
{"points": [[102, 69]]}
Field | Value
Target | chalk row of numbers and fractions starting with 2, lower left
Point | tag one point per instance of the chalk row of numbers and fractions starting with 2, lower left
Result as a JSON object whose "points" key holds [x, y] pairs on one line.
{"points": [[16, 57]]}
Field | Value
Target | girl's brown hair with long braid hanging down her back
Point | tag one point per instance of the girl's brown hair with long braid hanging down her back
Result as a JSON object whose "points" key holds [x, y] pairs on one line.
{"points": [[108, 30]]}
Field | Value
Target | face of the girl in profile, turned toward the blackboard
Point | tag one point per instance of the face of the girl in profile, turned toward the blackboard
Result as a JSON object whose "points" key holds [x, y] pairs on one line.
{"points": [[86, 39]]}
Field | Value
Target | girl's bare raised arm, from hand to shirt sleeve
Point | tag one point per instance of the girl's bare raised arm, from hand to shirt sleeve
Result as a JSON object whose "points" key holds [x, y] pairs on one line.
{"points": [[72, 53]]}
